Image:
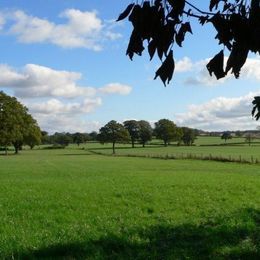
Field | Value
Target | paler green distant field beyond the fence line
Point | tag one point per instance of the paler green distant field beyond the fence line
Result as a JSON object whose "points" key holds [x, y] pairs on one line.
{"points": [[235, 148]]}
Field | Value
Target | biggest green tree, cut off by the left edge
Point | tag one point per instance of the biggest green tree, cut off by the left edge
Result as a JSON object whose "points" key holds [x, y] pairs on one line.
{"points": [[16, 124]]}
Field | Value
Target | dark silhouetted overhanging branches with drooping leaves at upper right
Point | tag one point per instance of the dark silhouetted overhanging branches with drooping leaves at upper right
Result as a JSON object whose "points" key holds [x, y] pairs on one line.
{"points": [[164, 24]]}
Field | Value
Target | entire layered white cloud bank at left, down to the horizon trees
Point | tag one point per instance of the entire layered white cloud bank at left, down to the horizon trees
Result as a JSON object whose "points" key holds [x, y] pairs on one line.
{"points": [[54, 98]]}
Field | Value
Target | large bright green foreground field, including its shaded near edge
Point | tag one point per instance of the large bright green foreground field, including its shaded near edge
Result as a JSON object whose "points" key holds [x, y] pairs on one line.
{"points": [[71, 204]]}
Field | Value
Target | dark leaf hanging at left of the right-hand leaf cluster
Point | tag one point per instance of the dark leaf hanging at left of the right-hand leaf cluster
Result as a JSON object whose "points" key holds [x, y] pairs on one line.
{"points": [[216, 65]]}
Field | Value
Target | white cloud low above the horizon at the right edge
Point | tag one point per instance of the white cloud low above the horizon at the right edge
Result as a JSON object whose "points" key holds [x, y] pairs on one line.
{"points": [[220, 114]]}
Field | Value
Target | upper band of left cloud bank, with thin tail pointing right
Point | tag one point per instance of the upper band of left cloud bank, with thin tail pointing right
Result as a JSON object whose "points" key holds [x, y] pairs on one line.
{"points": [[35, 81]]}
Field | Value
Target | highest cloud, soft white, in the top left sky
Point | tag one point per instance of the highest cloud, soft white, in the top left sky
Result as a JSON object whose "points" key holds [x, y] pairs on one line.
{"points": [[82, 29]]}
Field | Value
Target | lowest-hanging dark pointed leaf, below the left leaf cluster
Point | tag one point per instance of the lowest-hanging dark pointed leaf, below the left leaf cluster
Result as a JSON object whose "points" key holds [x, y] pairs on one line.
{"points": [[165, 72]]}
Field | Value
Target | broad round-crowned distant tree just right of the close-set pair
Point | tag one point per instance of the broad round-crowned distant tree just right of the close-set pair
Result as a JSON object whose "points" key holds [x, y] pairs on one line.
{"points": [[167, 131]]}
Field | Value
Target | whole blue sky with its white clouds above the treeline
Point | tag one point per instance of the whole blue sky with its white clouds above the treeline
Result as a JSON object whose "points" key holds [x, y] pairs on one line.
{"points": [[65, 60]]}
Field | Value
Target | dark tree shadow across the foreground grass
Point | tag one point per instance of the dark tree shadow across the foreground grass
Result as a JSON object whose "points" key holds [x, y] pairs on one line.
{"points": [[209, 240]]}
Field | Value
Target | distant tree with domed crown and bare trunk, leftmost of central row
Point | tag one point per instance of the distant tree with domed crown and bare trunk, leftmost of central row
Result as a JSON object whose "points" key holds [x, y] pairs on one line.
{"points": [[113, 132]]}
